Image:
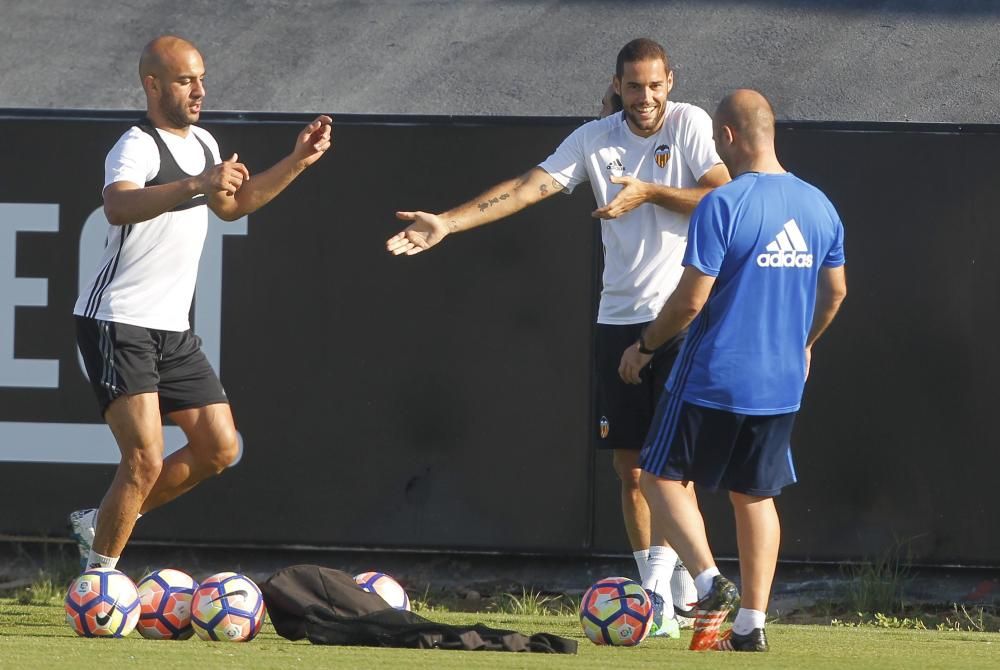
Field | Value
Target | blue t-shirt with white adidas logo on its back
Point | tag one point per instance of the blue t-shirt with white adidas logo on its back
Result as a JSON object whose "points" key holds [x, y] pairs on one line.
{"points": [[764, 237]]}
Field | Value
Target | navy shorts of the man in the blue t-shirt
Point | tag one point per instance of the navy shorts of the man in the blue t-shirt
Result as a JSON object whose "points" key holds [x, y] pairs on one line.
{"points": [[745, 453]]}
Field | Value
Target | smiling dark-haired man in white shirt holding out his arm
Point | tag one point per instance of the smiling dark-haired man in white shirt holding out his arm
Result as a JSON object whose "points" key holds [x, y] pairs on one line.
{"points": [[648, 166]]}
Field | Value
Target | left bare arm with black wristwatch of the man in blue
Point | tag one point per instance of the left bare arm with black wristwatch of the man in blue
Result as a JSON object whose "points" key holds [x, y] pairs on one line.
{"points": [[683, 305]]}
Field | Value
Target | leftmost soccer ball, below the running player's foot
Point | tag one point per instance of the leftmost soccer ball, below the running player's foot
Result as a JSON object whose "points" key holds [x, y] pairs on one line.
{"points": [[102, 602]]}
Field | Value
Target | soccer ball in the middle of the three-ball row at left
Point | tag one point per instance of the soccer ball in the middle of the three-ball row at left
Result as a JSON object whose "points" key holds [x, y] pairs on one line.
{"points": [[165, 597]]}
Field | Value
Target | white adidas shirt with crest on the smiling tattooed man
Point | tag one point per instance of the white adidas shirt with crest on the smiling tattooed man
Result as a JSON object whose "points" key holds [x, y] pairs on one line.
{"points": [[643, 248]]}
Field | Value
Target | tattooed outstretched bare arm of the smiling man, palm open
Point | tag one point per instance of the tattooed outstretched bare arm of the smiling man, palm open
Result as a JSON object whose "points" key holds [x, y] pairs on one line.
{"points": [[502, 200]]}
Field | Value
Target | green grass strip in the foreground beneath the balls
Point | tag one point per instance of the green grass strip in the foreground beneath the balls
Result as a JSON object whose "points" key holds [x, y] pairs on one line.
{"points": [[37, 636]]}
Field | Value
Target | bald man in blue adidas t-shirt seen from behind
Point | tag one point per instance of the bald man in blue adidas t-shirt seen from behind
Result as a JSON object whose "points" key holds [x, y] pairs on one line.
{"points": [[763, 279]]}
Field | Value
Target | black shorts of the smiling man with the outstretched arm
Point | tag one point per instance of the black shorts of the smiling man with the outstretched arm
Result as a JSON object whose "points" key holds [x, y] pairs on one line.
{"points": [[624, 411]]}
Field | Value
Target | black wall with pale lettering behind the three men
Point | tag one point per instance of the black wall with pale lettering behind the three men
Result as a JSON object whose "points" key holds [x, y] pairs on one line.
{"points": [[443, 401]]}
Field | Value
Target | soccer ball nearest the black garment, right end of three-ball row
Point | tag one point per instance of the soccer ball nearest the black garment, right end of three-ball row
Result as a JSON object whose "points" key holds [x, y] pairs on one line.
{"points": [[228, 607]]}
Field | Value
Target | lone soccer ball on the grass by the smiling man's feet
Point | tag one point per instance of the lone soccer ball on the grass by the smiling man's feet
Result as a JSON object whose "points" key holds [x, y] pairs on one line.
{"points": [[617, 611]]}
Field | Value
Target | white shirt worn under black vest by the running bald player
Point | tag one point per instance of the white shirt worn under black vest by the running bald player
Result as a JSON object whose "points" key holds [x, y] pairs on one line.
{"points": [[147, 279]]}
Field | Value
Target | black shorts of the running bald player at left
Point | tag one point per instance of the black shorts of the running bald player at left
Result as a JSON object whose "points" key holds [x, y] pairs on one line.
{"points": [[128, 360]]}
